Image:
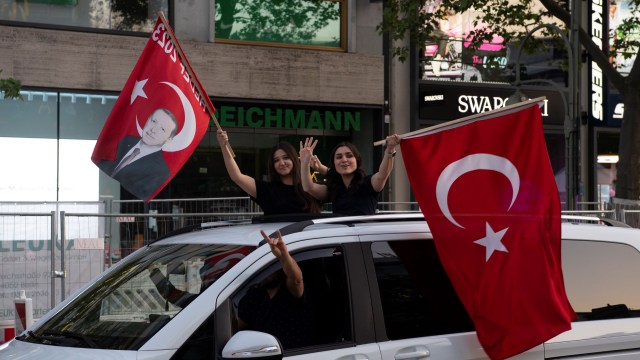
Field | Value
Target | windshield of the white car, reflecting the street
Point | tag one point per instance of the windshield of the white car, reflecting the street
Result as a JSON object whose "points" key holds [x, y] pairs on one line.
{"points": [[126, 308]]}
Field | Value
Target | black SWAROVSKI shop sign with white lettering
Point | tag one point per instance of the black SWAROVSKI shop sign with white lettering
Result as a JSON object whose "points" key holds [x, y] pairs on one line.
{"points": [[447, 102]]}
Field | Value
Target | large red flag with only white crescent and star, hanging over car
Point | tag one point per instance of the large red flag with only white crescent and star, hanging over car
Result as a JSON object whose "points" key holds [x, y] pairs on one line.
{"points": [[488, 194]]}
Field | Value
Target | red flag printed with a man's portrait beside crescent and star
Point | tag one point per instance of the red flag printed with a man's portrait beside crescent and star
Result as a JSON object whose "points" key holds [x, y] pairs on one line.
{"points": [[157, 121]]}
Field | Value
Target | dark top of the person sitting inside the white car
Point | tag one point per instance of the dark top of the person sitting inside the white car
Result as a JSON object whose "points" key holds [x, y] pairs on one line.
{"points": [[289, 319]]}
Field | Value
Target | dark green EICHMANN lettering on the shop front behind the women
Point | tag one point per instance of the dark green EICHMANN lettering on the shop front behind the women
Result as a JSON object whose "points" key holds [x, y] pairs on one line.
{"points": [[278, 118]]}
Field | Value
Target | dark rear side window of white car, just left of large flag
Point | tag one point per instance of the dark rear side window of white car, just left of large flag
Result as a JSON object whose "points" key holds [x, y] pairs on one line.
{"points": [[416, 294]]}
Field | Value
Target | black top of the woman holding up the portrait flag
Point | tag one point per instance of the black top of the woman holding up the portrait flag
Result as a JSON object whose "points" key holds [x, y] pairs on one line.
{"points": [[278, 198]]}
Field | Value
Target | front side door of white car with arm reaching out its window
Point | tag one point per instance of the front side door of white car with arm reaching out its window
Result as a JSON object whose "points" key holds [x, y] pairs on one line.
{"points": [[342, 330]]}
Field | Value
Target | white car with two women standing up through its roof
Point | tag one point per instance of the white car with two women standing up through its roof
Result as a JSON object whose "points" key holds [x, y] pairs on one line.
{"points": [[375, 285]]}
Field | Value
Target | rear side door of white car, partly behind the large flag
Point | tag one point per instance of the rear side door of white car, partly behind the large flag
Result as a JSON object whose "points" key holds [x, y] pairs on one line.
{"points": [[418, 314]]}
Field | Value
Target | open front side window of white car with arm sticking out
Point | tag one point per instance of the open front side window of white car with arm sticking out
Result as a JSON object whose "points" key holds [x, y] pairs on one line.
{"points": [[321, 317]]}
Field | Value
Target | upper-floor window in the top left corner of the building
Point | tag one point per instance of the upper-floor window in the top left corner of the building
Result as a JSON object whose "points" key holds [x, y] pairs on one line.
{"points": [[121, 15]]}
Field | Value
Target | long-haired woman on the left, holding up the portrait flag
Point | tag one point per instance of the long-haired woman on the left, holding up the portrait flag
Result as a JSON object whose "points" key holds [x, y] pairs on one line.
{"points": [[283, 193]]}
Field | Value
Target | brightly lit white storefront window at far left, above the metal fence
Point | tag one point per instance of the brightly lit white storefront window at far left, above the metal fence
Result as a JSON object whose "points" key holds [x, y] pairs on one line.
{"points": [[50, 136]]}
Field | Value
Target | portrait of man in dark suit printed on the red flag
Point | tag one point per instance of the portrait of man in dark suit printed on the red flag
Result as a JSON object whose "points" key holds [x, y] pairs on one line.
{"points": [[139, 165]]}
